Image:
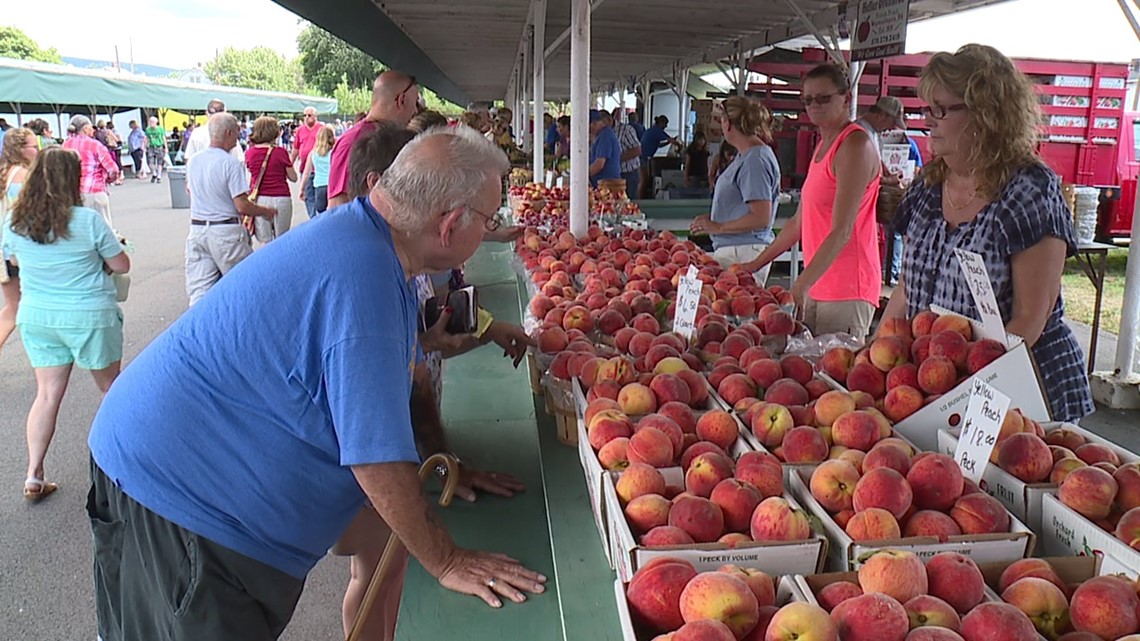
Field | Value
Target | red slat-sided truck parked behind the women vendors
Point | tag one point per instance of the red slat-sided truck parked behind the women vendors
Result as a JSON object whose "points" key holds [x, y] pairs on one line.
{"points": [[1087, 135]]}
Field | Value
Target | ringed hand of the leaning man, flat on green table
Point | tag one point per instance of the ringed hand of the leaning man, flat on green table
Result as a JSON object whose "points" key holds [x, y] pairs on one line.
{"points": [[491, 577]]}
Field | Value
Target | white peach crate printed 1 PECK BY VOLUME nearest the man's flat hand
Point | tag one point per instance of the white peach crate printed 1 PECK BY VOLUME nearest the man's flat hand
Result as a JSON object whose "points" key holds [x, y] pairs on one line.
{"points": [[777, 558]]}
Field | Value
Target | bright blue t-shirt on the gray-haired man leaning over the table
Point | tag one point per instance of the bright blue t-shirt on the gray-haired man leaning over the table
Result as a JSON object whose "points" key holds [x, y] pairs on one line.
{"points": [[242, 420]]}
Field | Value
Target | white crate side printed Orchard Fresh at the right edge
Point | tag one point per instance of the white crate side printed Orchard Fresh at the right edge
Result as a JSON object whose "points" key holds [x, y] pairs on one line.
{"points": [[1066, 533]]}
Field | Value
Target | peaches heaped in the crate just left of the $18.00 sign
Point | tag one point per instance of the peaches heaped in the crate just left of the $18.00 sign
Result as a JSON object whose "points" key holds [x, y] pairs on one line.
{"points": [[893, 492]]}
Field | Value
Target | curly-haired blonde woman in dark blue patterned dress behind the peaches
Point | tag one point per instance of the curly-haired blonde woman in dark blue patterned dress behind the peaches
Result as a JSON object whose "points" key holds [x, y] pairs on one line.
{"points": [[989, 192]]}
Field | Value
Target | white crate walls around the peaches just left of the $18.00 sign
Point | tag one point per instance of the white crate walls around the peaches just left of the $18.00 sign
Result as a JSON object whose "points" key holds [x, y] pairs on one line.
{"points": [[844, 554]]}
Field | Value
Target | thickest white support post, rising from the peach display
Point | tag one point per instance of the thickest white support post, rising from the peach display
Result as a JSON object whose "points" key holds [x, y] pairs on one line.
{"points": [[580, 124]]}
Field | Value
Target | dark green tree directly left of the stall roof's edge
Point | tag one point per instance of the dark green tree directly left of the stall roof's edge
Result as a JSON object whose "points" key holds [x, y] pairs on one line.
{"points": [[328, 61]]}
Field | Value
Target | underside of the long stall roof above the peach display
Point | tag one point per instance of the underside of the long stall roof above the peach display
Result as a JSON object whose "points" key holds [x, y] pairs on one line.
{"points": [[468, 51]]}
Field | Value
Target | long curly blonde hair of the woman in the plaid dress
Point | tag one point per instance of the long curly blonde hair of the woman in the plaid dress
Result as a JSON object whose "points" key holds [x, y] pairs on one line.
{"points": [[1003, 110]]}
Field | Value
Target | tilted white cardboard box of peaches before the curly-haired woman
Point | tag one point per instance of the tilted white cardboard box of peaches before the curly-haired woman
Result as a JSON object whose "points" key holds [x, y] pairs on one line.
{"points": [[1008, 375]]}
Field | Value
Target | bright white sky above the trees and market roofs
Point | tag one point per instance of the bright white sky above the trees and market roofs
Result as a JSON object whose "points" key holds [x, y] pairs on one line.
{"points": [[182, 35]]}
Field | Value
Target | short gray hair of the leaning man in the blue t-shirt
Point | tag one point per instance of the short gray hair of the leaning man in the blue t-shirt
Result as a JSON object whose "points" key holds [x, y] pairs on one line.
{"points": [[424, 183]]}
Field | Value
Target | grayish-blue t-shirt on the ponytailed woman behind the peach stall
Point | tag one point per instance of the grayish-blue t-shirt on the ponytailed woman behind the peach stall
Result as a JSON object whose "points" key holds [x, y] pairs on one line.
{"points": [[752, 176]]}
